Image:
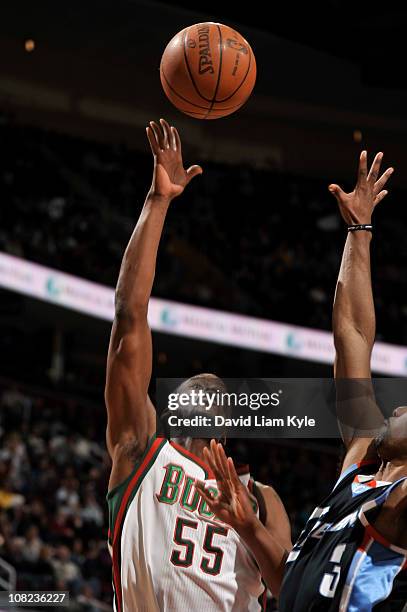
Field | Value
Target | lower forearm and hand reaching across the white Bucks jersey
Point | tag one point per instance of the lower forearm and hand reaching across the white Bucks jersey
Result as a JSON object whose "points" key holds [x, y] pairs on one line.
{"points": [[234, 506]]}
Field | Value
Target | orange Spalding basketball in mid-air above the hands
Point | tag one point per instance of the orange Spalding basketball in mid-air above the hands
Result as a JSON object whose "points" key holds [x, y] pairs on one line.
{"points": [[208, 70]]}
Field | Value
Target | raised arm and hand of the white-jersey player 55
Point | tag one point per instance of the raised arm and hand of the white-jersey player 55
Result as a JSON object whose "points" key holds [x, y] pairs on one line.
{"points": [[130, 412]]}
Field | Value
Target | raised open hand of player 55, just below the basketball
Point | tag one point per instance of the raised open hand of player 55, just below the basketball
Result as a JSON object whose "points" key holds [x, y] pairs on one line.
{"points": [[169, 177]]}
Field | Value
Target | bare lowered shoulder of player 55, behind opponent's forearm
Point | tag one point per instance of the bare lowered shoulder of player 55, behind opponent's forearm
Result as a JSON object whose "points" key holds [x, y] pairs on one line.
{"points": [[275, 517]]}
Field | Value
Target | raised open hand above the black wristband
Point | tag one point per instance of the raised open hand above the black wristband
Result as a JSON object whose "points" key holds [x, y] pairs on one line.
{"points": [[357, 206]]}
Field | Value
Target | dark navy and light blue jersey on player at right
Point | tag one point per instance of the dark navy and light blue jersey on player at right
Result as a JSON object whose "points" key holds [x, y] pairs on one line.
{"points": [[340, 562]]}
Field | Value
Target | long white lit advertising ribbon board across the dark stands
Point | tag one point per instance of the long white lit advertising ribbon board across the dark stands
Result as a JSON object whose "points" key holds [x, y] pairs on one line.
{"points": [[188, 321]]}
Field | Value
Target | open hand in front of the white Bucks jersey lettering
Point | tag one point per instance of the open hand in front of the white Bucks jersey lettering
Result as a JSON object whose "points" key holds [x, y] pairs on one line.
{"points": [[233, 505]]}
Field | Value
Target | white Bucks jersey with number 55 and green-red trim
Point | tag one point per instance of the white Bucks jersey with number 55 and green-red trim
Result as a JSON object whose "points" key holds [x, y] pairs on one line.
{"points": [[169, 552]]}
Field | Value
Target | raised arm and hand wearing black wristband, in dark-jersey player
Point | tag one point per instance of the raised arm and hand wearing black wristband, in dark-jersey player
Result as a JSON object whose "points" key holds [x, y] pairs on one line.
{"points": [[354, 323]]}
